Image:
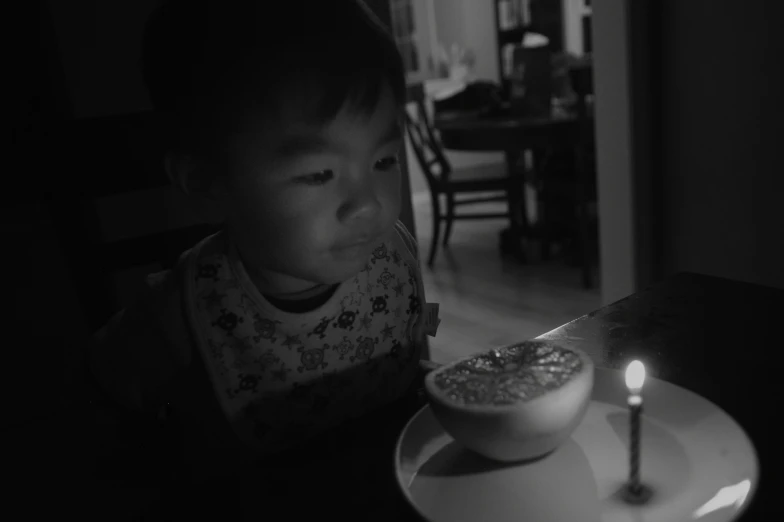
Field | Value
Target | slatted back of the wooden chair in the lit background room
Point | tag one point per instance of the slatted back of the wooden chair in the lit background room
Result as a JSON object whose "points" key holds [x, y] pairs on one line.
{"points": [[426, 143]]}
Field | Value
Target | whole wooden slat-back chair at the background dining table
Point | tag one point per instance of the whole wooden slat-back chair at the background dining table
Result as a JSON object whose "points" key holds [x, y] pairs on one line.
{"points": [[443, 180]]}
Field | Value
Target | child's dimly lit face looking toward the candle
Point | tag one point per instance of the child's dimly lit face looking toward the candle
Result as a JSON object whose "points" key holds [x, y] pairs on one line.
{"points": [[307, 204]]}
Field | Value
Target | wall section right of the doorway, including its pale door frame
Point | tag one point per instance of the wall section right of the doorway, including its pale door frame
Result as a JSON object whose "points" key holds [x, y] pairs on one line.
{"points": [[688, 127]]}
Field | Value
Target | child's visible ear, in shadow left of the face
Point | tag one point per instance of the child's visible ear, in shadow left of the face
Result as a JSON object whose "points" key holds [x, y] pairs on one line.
{"points": [[192, 178]]}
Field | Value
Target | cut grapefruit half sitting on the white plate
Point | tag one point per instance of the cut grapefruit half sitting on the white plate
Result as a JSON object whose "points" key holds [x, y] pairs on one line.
{"points": [[513, 403]]}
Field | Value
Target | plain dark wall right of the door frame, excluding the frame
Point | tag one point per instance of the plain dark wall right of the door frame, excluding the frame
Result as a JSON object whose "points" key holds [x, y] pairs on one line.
{"points": [[722, 168]]}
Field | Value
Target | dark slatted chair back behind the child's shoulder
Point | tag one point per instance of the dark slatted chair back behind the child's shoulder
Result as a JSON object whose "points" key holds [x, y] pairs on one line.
{"points": [[91, 167]]}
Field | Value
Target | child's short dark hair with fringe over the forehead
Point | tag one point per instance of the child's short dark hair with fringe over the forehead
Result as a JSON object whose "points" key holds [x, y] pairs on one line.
{"points": [[206, 62]]}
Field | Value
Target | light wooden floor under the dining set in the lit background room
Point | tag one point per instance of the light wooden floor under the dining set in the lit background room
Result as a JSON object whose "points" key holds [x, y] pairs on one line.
{"points": [[487, 301]]}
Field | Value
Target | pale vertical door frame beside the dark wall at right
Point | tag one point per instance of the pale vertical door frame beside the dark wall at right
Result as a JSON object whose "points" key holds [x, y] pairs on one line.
{"points": [[625, 71]]}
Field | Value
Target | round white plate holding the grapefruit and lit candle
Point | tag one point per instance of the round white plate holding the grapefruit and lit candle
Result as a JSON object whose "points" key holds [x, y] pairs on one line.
{"points": [[697, 461]]}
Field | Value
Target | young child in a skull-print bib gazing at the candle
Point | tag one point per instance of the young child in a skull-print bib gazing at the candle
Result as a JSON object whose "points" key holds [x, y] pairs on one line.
{"points": [[305, 311]]}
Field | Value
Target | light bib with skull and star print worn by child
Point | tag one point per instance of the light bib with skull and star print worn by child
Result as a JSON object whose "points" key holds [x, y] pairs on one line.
{"points": [[281, 377]]}
